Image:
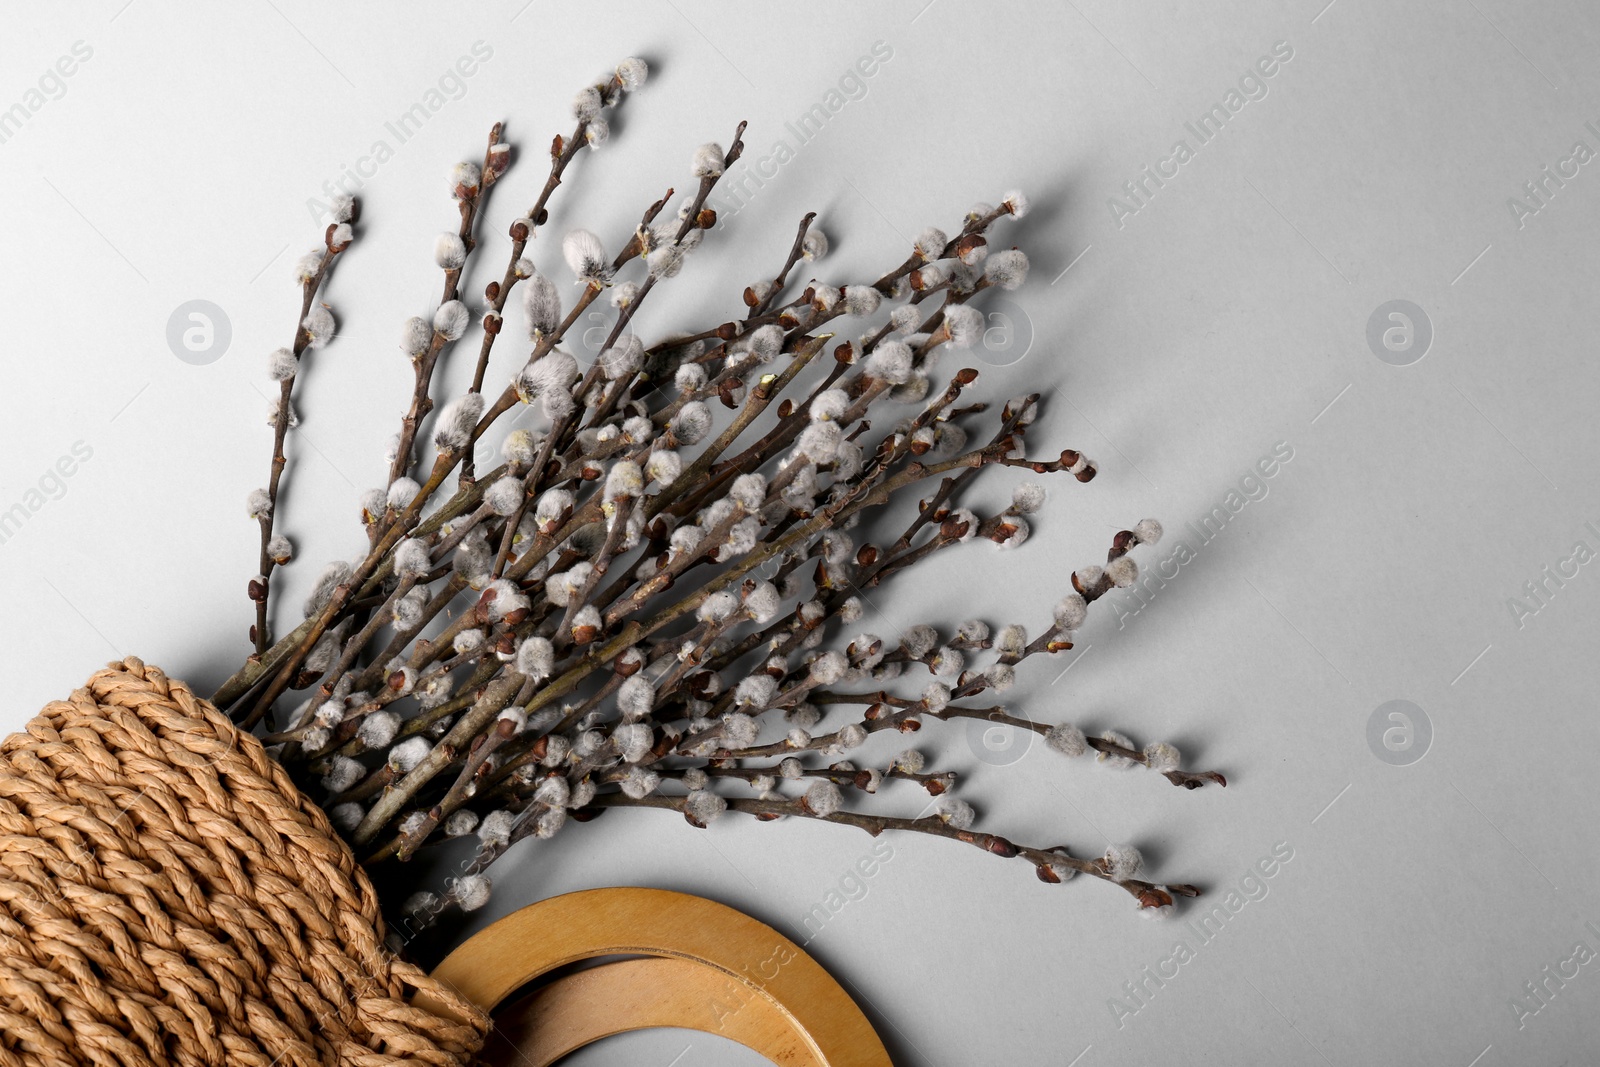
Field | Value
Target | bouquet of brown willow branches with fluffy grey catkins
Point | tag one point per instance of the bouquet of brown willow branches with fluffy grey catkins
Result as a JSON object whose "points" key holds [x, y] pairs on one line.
{"points": [[654, 605]]}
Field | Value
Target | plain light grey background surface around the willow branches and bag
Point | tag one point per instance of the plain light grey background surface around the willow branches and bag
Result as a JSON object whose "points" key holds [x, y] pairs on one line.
{"points": [[1183, 342]]}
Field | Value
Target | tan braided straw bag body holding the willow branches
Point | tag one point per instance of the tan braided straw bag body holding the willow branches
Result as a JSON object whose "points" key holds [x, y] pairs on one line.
{"points": [[167, 897]]}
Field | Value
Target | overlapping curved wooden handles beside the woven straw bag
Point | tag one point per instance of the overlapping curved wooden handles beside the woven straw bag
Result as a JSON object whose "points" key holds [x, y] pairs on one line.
{"points": [[714, 970]]}
